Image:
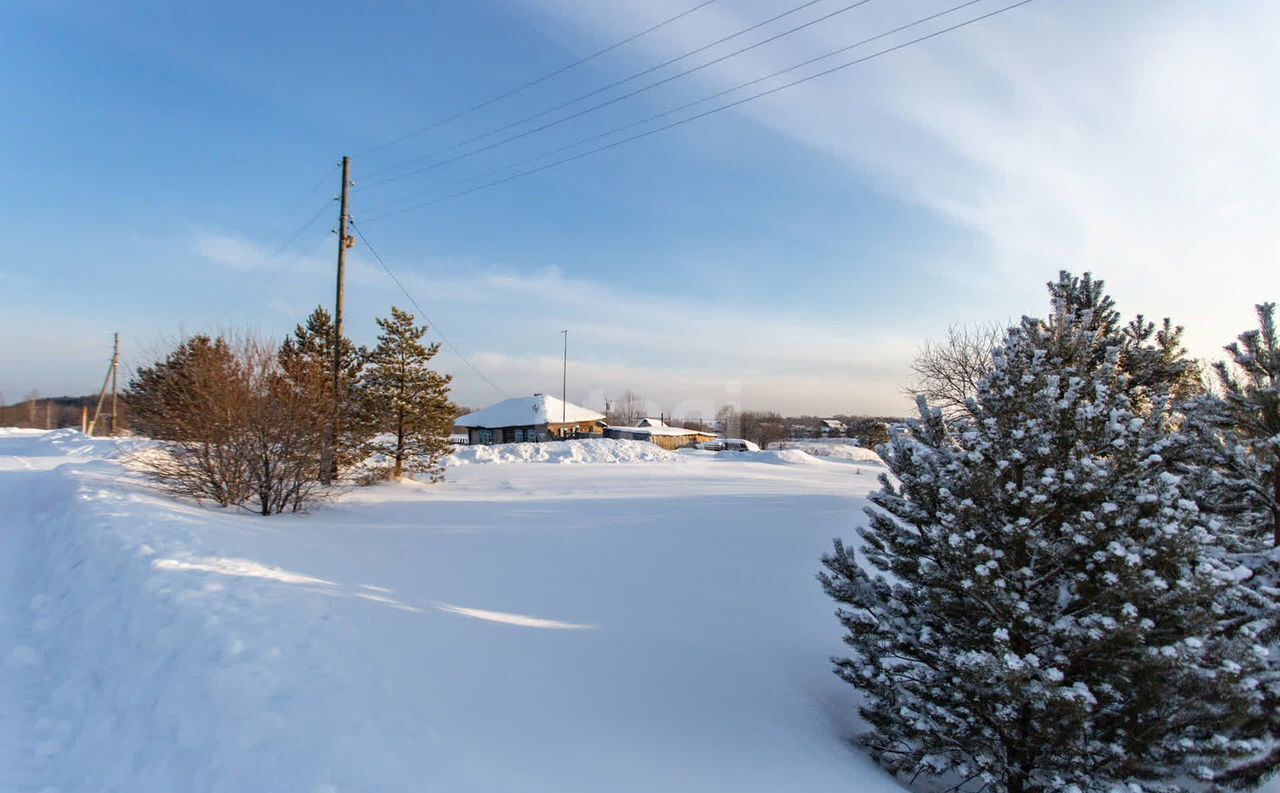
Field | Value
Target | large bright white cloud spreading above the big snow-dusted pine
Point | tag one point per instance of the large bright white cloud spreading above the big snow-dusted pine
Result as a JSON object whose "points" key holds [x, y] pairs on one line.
{"points": [[1131, 139]]}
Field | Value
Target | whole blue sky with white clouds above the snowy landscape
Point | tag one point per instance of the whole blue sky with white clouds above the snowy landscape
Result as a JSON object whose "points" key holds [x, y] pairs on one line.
{"points": [[172, 171]]}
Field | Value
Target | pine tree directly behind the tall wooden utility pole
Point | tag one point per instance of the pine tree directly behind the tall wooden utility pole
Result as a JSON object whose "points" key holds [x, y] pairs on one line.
{"points": [[307, 360]]}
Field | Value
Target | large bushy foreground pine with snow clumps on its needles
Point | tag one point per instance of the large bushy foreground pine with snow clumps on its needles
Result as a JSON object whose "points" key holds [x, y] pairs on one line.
{"points": [[1036, 606]]}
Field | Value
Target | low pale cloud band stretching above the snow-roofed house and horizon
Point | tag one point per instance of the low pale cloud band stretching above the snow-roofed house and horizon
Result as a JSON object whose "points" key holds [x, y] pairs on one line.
{"points": [[680, 350]]}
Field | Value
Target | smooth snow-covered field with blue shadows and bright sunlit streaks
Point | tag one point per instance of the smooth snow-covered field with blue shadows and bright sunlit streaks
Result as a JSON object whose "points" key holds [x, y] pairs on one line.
{"points": [[638, 626]]}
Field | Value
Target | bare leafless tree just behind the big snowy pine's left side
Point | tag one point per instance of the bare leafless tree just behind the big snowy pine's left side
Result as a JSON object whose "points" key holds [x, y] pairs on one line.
{"points": [[948, 372]]}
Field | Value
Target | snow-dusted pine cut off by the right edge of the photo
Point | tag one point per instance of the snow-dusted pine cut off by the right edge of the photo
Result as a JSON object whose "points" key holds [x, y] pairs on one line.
{"points": [[1236, 455]]}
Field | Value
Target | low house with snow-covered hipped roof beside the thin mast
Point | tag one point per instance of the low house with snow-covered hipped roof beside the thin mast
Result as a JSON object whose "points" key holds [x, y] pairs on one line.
{"points": [[531, 419]]}
